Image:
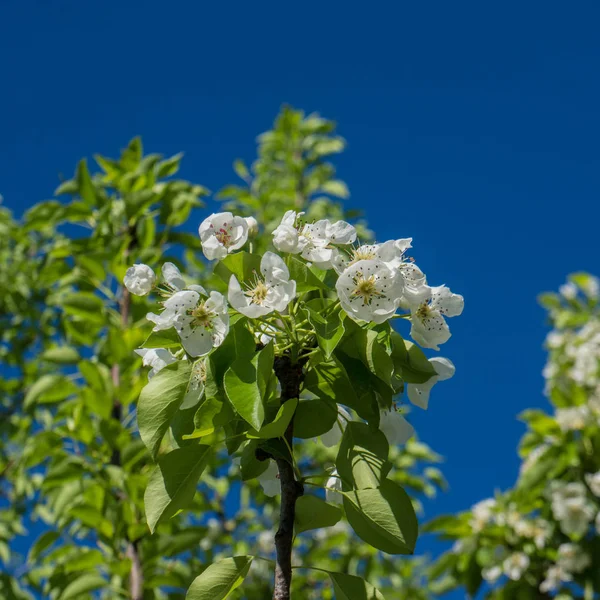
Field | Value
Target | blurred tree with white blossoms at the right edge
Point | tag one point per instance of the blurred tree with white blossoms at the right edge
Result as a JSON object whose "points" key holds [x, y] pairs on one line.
{"points": [[540, 538]]}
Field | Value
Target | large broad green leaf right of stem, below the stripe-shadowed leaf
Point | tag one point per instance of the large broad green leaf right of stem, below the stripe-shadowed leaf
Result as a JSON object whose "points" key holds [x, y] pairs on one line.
{"points": [[383, 517]]}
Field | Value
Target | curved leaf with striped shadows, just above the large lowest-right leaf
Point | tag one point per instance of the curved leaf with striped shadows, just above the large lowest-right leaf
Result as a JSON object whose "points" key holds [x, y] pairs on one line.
{"points": [[362, 459]]}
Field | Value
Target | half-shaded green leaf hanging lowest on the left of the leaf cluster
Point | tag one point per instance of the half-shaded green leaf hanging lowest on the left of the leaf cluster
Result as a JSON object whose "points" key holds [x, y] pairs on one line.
{"points": [[173, 482]]}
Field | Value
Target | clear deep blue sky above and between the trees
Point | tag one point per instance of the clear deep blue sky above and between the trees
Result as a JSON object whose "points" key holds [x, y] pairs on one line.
{"points": [[472, 127]]}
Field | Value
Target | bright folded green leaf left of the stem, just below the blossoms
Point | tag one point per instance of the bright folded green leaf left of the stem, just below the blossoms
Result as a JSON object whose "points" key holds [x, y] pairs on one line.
{"points": [[246, 384]]}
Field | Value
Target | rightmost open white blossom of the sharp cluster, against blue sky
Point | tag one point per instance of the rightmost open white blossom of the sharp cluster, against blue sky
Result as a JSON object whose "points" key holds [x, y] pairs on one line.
{"points": [[429, 328]]}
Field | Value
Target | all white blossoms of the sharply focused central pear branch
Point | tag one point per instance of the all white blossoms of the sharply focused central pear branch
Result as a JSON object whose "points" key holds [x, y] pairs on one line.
{"points": [[375, 283]]}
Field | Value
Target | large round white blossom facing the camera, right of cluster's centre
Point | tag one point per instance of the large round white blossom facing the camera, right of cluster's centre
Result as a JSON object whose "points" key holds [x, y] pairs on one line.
{"points": [[369, 291]]}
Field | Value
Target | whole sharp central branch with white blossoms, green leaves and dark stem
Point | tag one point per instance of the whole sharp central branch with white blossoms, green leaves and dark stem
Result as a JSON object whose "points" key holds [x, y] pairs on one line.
{"points": [[286, 346]]}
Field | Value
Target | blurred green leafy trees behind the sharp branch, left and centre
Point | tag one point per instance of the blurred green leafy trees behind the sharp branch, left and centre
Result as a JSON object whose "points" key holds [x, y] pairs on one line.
{"points": [[72, 465]]}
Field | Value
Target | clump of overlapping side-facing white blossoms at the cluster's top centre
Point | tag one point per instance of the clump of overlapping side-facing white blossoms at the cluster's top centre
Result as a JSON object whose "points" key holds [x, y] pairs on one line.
{"points": [[314, 241]]}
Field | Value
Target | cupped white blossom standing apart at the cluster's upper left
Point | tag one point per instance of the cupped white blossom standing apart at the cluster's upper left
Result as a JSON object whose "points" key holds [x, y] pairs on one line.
{"points": [[222, 233]]}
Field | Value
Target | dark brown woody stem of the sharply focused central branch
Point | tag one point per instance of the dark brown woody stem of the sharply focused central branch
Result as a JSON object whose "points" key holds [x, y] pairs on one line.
{"points": [[290, 377]]}
